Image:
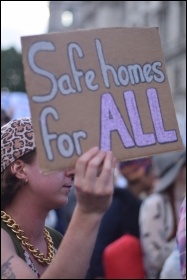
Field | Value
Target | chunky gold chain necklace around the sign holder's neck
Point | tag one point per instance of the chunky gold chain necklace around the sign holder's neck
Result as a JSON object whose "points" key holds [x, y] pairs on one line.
{"points": [[40, 257]]}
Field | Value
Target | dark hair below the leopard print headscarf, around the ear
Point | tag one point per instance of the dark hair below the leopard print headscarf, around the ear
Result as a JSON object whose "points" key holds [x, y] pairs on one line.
{"points": [[10, 184]]}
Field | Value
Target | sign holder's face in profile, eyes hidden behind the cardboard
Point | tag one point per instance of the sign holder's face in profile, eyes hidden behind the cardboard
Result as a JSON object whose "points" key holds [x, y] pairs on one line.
{"points": [[51, 189]]}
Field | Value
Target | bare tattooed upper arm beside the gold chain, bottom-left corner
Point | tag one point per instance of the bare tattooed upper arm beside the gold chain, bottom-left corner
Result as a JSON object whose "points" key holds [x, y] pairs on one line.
{"points": [[12, 266]]}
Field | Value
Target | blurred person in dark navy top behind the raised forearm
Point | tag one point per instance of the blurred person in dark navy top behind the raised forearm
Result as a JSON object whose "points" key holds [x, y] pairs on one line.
{"points": [[122, 216]]}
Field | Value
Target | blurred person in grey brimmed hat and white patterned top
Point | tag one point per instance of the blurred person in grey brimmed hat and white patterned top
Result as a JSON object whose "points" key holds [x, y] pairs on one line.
{"points": [[159, 213]]}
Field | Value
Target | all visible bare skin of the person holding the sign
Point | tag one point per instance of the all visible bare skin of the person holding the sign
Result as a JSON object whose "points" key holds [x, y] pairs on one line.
{"points": [[42, 193]]}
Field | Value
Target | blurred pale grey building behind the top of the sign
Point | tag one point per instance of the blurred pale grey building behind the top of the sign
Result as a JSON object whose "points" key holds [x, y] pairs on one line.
{"points": [[169, 16]]}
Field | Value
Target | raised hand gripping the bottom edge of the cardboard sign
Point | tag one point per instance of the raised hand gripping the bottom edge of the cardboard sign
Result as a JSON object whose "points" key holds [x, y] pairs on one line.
{"points": [[94, 193]]}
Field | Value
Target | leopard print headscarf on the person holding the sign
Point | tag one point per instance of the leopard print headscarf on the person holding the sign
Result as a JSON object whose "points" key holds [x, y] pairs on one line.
{"points": [[17, 139]]}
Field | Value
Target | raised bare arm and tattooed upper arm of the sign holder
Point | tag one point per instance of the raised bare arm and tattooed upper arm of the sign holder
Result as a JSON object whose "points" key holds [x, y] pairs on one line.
{"points": [[94, 196]]}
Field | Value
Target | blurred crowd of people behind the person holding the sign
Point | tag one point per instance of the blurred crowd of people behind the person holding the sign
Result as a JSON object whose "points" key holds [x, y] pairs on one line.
{"points": [[143, 233]]}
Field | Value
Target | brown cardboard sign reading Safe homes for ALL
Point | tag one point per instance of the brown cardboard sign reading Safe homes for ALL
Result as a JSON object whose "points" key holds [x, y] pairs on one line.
{"points": [[102, 87]]}
